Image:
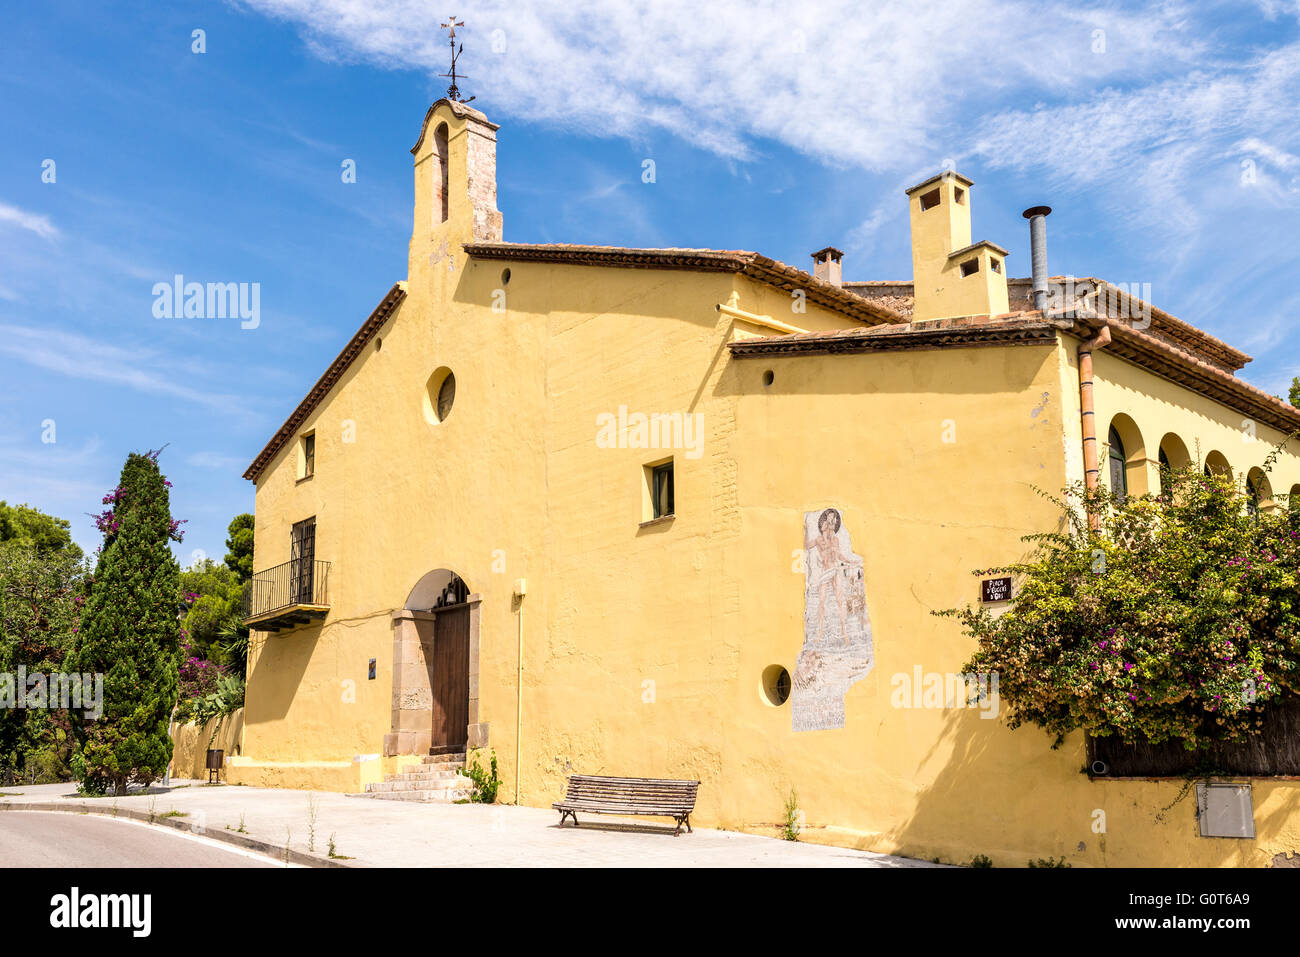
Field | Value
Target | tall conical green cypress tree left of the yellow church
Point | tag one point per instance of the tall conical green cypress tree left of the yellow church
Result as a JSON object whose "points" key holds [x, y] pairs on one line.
{"points": [[131, 634]]}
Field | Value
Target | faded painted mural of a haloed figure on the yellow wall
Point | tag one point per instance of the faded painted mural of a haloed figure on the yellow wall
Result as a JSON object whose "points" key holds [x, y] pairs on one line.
{"points": [[838, 648]]}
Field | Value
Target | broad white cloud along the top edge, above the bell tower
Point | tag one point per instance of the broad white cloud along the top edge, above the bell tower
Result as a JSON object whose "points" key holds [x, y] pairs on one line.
{"points": [[831, 80]]}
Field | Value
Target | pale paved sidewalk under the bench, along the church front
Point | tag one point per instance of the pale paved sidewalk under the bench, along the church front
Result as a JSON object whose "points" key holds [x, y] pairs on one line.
{"points": [[396, 834]]}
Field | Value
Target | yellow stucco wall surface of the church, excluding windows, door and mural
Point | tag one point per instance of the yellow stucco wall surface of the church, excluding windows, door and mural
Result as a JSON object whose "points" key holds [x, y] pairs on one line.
{"points": [[645, 646]]}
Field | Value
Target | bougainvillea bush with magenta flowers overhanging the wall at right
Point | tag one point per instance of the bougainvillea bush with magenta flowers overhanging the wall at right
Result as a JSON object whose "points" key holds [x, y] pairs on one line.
{"points": [[1178, 620]]}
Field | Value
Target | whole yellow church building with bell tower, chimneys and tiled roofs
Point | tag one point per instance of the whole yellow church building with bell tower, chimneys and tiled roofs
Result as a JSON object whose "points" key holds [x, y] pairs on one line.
{"points": [[678, 513]]}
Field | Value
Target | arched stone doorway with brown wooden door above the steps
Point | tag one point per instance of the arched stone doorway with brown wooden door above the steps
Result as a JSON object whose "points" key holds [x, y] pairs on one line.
{"points": [[436, 669]]}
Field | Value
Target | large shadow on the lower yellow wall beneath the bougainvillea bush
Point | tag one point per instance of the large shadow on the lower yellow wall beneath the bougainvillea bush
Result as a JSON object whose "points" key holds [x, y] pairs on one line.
{"points": [[1007, 795]]}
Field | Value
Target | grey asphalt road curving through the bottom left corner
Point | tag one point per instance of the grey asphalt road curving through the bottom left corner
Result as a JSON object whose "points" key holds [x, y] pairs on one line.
{"points": [[58, 839]]}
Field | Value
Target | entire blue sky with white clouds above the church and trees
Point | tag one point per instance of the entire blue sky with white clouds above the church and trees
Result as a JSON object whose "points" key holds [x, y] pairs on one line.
{"points": [[135, 150]]}
